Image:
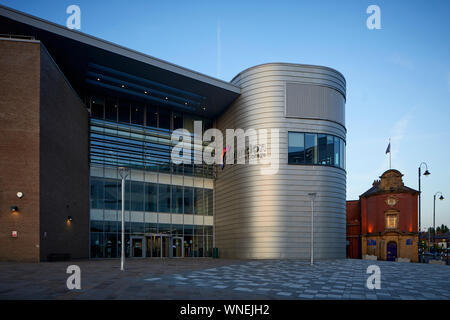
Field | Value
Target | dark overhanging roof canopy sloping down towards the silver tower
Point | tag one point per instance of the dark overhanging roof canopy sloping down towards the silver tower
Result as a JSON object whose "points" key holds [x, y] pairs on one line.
{"points": [[76, 53]]}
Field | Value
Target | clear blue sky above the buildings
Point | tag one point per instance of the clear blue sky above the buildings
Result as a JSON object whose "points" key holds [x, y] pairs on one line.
{"points": [[398, 78]]}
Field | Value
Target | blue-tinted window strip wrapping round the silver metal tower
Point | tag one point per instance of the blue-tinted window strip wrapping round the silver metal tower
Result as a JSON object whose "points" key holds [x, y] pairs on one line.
{"points": [[316, 149]]}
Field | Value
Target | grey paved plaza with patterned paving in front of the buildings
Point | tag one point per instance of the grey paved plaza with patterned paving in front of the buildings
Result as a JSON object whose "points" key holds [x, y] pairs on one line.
{"points": [[225, 279]]}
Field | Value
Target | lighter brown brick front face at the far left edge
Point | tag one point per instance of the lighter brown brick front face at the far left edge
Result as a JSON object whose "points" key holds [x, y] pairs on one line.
{"points": [[19, 149]]}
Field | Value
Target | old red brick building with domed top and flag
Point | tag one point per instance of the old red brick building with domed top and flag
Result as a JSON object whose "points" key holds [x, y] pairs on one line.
{"points": [[383, 222]]}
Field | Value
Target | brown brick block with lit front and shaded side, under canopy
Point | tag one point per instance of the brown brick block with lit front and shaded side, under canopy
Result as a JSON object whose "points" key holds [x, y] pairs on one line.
{"points": [[43, 154]]}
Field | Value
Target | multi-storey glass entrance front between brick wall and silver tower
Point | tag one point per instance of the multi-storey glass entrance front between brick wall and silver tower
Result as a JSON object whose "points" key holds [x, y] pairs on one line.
{"points": [[168, 208]]}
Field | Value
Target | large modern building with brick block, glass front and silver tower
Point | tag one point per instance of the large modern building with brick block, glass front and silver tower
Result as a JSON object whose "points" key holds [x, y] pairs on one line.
{"points": [[75, 108]]}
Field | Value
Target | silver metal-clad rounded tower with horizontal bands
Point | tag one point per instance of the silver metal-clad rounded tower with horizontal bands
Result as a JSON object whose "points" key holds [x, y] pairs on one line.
{"points": [[269, 216]]}
